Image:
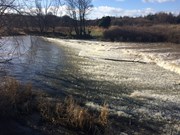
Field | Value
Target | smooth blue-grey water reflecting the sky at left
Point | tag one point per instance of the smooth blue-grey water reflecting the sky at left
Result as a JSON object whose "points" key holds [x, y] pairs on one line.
{"points": [[33, 60]]}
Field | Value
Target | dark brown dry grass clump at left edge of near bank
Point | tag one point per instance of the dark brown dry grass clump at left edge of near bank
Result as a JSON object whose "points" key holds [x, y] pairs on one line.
{"points": [[14, 98]]}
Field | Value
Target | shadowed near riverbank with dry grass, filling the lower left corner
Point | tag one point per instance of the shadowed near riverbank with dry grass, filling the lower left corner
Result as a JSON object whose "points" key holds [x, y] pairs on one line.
{"points": [[27, 111]]}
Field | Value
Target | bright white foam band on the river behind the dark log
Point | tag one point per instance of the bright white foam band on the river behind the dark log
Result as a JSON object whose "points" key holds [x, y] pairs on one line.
{"points": [[101, 50]]}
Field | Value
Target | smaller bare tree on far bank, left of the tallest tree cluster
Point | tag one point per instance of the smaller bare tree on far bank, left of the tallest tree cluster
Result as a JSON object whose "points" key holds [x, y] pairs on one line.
{"points": [[43, 10]]}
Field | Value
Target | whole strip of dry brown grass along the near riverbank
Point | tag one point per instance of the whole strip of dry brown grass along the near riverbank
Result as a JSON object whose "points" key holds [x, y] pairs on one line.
{"points": [[20, 100]]}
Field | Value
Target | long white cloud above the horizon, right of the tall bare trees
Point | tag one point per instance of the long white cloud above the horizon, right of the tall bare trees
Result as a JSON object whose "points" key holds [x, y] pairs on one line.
{"points": [[99, 12]]}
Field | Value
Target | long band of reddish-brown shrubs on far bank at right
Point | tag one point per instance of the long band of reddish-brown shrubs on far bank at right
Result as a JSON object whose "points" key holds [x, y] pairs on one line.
{"points": [[153, 33]]}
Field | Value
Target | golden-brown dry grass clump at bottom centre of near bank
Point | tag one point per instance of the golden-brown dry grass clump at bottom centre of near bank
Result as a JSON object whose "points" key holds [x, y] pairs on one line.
{"points": [[70, 114]]}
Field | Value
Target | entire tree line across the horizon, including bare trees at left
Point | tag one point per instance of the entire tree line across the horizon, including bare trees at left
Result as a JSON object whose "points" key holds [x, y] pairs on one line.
{"points": [[42, 16]]}
